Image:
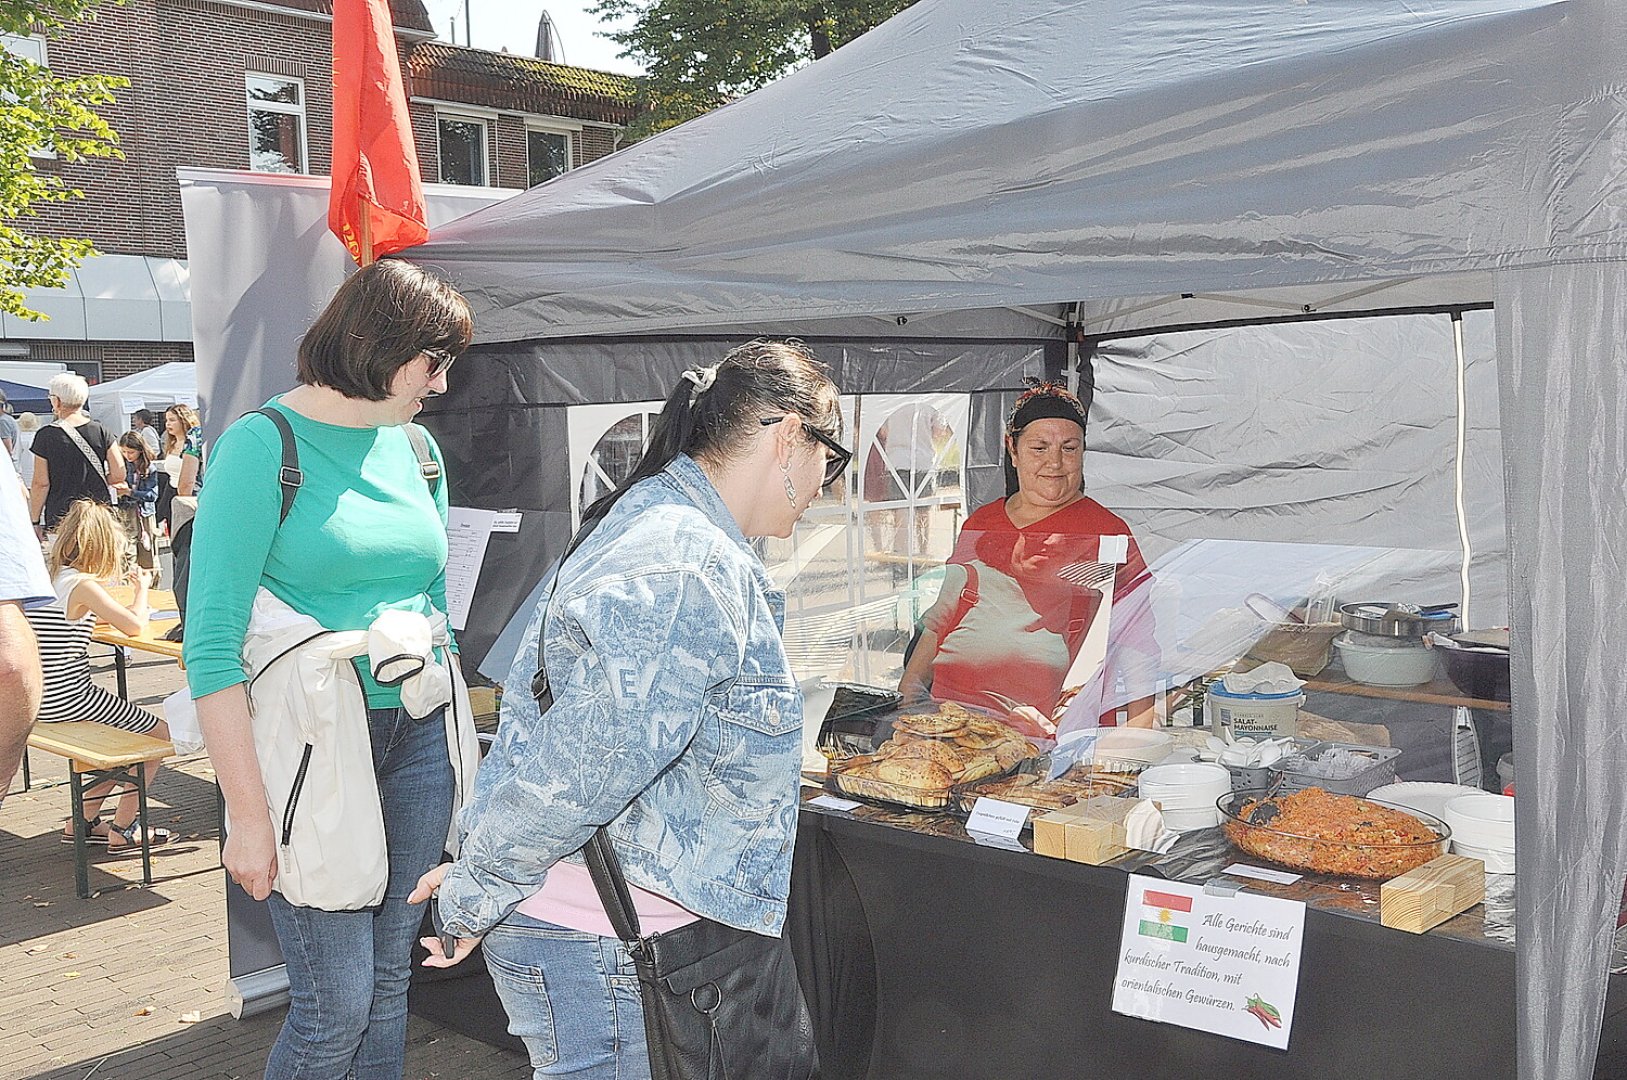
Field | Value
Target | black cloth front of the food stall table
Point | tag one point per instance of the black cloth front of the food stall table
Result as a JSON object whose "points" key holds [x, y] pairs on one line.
{"points": [[931, 957]]}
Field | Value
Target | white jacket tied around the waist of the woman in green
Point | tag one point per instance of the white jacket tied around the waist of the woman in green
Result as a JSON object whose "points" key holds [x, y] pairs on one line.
{"points": [[310, 721]]}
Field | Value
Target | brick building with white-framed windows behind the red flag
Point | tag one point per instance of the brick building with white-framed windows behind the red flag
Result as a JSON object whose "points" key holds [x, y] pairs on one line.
{"points": [[246, 84]]}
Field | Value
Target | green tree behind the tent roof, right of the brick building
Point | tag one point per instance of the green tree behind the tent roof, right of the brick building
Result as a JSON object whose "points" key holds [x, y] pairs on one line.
{"points": [[699, 54]]}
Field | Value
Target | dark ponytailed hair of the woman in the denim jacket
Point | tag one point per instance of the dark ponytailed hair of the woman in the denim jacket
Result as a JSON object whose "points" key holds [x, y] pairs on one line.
{"points": [[712, 412]]}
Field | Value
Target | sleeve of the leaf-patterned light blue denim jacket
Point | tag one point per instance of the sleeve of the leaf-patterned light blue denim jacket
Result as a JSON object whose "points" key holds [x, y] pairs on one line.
{"points": [[632, 661]]}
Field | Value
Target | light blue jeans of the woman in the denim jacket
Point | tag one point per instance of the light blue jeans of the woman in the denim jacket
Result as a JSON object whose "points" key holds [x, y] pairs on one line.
{"points": [[572, 998]]}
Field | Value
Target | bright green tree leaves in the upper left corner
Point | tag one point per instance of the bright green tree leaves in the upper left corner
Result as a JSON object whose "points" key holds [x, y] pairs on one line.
{"points": [[41, 111]]}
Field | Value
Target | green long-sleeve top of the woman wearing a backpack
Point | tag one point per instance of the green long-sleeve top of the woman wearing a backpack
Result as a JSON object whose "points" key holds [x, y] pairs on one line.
{"points": [[365, 536]]}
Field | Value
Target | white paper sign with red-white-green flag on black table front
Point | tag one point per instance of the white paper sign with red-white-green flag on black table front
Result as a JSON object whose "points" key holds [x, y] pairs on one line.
{"points": [[1229, 965]]}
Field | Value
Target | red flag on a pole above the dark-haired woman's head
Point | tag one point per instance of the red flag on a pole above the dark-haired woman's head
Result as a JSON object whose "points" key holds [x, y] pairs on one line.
{"points": [[377, 194]]}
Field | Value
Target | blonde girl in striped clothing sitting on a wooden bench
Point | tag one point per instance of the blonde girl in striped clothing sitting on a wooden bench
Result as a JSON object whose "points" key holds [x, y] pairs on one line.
{"points": [[90, 549]]}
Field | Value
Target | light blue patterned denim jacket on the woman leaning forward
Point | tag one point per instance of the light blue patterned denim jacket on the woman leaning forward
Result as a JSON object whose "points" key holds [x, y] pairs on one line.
{"points": [[676, 720]]}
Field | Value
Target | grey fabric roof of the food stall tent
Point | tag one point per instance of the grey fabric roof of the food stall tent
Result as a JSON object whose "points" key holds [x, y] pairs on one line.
{"points": [[990, 154]]}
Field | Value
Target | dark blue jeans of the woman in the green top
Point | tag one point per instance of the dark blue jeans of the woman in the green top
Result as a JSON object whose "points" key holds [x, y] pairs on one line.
{"points": [[349, 970]]}
